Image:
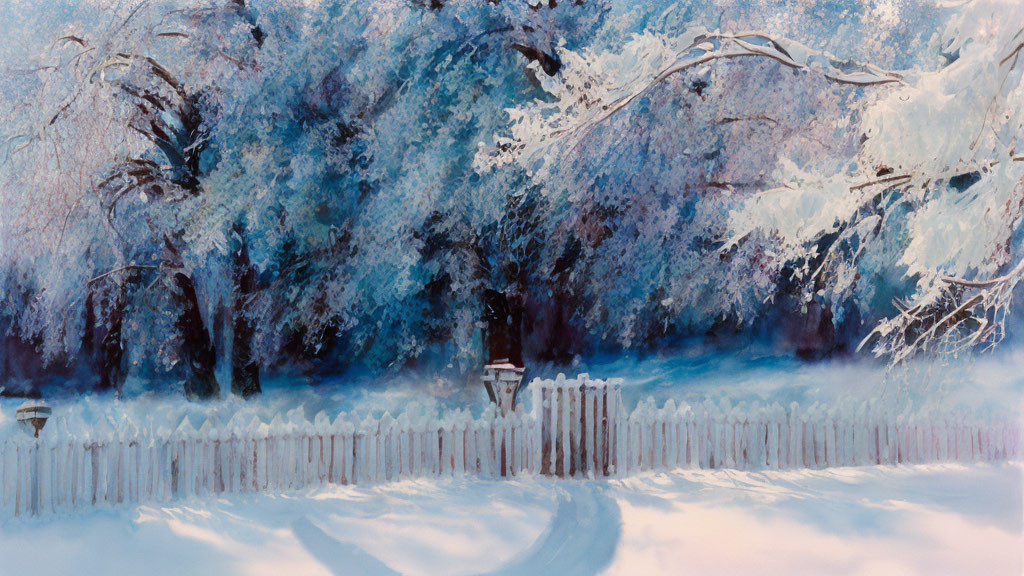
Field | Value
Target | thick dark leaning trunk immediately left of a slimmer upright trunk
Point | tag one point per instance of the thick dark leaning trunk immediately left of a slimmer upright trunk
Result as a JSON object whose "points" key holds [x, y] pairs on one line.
{"points": [[200, 356]]}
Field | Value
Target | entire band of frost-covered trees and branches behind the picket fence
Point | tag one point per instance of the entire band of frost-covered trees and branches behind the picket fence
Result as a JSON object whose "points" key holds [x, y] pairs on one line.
{"points": [[188, 186]]}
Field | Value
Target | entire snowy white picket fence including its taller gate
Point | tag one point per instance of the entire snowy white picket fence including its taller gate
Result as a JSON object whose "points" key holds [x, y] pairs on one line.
{"points": [[578, 429]]}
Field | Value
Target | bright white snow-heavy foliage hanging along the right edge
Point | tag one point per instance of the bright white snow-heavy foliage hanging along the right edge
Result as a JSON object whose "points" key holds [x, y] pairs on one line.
{"points": [[935, 192]]}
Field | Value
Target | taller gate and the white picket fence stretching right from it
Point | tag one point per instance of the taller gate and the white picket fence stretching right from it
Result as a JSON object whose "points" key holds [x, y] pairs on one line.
{"points": [[585, 432]]}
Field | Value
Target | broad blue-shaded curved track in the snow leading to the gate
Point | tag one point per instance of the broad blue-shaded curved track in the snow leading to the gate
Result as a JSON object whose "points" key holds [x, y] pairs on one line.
{"points": [[580, 540]]}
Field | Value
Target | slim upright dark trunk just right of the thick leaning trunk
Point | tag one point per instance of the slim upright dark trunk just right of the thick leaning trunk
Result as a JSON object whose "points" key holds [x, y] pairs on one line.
{"points": [[245, 365]]}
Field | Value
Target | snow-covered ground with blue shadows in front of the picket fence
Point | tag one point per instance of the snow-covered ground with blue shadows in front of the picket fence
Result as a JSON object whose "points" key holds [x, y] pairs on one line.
{"points": [[919, 520]]}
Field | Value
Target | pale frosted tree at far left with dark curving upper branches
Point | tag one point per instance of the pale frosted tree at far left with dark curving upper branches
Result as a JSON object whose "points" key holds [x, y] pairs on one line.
{"points": [[105, 170]]}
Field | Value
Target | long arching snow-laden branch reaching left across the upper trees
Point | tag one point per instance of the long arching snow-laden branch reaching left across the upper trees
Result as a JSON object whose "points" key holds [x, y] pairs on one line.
{"points": [[593, 88]]}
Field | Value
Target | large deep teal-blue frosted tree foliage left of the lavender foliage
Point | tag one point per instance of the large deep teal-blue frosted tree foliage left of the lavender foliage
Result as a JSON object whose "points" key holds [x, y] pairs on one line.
{"points": [[355, 161]]}
